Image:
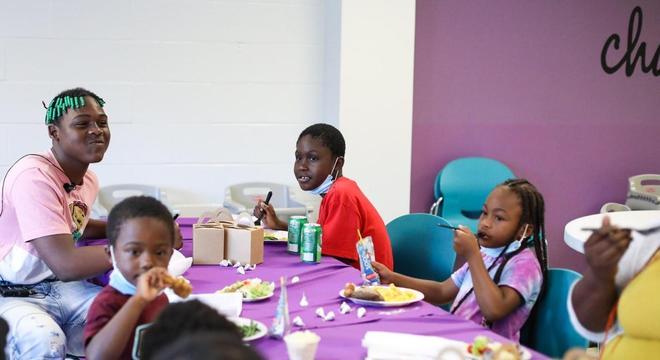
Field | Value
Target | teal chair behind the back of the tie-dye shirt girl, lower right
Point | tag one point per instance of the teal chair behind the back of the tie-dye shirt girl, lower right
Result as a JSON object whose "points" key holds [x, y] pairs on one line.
{"points": [[548, 329]]}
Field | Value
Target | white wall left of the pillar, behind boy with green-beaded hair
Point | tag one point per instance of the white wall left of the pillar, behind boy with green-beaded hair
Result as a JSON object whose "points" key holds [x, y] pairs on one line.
{"points": [[200, 94]]}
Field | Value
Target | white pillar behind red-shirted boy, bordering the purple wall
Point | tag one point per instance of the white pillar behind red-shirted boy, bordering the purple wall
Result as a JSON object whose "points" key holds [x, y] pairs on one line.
{"points": [[375, 99]]}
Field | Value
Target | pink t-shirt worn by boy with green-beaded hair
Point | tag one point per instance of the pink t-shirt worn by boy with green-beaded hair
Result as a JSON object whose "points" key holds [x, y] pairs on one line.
{"points": [[35, 205]]}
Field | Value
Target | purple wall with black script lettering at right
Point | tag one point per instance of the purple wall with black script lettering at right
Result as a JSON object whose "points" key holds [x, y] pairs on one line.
{"points": [[522, 82]]}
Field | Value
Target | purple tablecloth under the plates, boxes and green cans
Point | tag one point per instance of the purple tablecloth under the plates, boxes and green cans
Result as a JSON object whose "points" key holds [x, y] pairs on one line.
{"points": [[321, 284]]}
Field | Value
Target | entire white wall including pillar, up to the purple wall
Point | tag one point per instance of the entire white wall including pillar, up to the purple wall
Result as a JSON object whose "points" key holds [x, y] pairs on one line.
{"points": [[202, 94]]}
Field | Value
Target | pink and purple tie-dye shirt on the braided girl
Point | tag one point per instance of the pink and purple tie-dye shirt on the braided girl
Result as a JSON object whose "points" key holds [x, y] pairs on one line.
{"points": [[521, 273]]}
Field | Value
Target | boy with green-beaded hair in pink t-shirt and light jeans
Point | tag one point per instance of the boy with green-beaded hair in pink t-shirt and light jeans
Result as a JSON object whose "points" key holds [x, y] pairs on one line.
{"points": [[46, 204]]}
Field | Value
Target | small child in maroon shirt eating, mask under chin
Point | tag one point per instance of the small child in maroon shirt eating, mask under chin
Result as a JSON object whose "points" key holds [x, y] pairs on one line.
{"points": [[141, 237]]}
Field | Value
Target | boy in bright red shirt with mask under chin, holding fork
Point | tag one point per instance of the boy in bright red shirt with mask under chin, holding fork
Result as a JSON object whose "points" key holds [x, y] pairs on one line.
{"points": [[344, 209]]}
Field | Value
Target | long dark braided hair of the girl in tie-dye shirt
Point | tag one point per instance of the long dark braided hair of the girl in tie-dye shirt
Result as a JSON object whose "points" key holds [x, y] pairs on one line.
{"points": [[533, 210]]}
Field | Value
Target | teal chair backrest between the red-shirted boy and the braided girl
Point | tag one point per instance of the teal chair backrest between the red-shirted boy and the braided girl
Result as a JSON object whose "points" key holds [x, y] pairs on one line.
{"points": [[420, 247]]}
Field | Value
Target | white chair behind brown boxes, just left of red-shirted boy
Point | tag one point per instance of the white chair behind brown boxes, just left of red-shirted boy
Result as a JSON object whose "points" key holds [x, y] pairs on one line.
{"points": [[243, 198]]}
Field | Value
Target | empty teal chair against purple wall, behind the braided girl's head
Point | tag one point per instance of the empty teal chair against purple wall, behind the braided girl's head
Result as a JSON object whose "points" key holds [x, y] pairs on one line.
{"points": [[462, 186]]}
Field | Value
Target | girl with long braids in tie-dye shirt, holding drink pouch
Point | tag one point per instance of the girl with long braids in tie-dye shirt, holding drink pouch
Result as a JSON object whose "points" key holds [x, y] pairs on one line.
{"points": [[505, 262]]}
